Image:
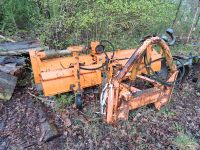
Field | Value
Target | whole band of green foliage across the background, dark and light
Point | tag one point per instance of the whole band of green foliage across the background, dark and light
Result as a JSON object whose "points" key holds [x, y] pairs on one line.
{"points": [[63, 22]]}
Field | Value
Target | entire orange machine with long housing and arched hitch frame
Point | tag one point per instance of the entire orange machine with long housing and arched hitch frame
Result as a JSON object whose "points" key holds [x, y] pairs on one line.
{"points": [[129, 78]]}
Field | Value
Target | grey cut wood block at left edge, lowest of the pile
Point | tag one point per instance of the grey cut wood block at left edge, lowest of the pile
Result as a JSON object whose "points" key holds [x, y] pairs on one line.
{"points": [[7, 85]]}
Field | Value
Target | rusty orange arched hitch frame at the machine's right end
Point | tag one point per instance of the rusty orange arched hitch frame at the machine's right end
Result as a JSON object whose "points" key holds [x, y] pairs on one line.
{"points": [[122, 97]]}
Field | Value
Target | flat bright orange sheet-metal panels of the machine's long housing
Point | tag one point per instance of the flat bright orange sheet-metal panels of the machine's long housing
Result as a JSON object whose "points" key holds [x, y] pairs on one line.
{"points": [[56, 74]]}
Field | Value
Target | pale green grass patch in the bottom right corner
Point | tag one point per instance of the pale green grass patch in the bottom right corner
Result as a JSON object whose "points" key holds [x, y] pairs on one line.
{"points": [[185, 142]]}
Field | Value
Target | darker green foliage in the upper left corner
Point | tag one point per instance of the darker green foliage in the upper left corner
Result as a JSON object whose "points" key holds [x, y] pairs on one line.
{"points": [[17, 14]]}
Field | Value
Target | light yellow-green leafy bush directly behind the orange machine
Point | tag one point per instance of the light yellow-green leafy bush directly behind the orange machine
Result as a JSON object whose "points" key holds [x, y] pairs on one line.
{"points": [[81, 21]]}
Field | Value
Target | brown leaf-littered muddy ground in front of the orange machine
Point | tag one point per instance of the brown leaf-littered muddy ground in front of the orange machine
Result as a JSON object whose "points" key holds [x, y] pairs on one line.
{"points": [[147, 128]]}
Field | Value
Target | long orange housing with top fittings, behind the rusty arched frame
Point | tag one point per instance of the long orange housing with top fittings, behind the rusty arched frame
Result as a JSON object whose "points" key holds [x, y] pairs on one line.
{"points": [[71, 70]]}
